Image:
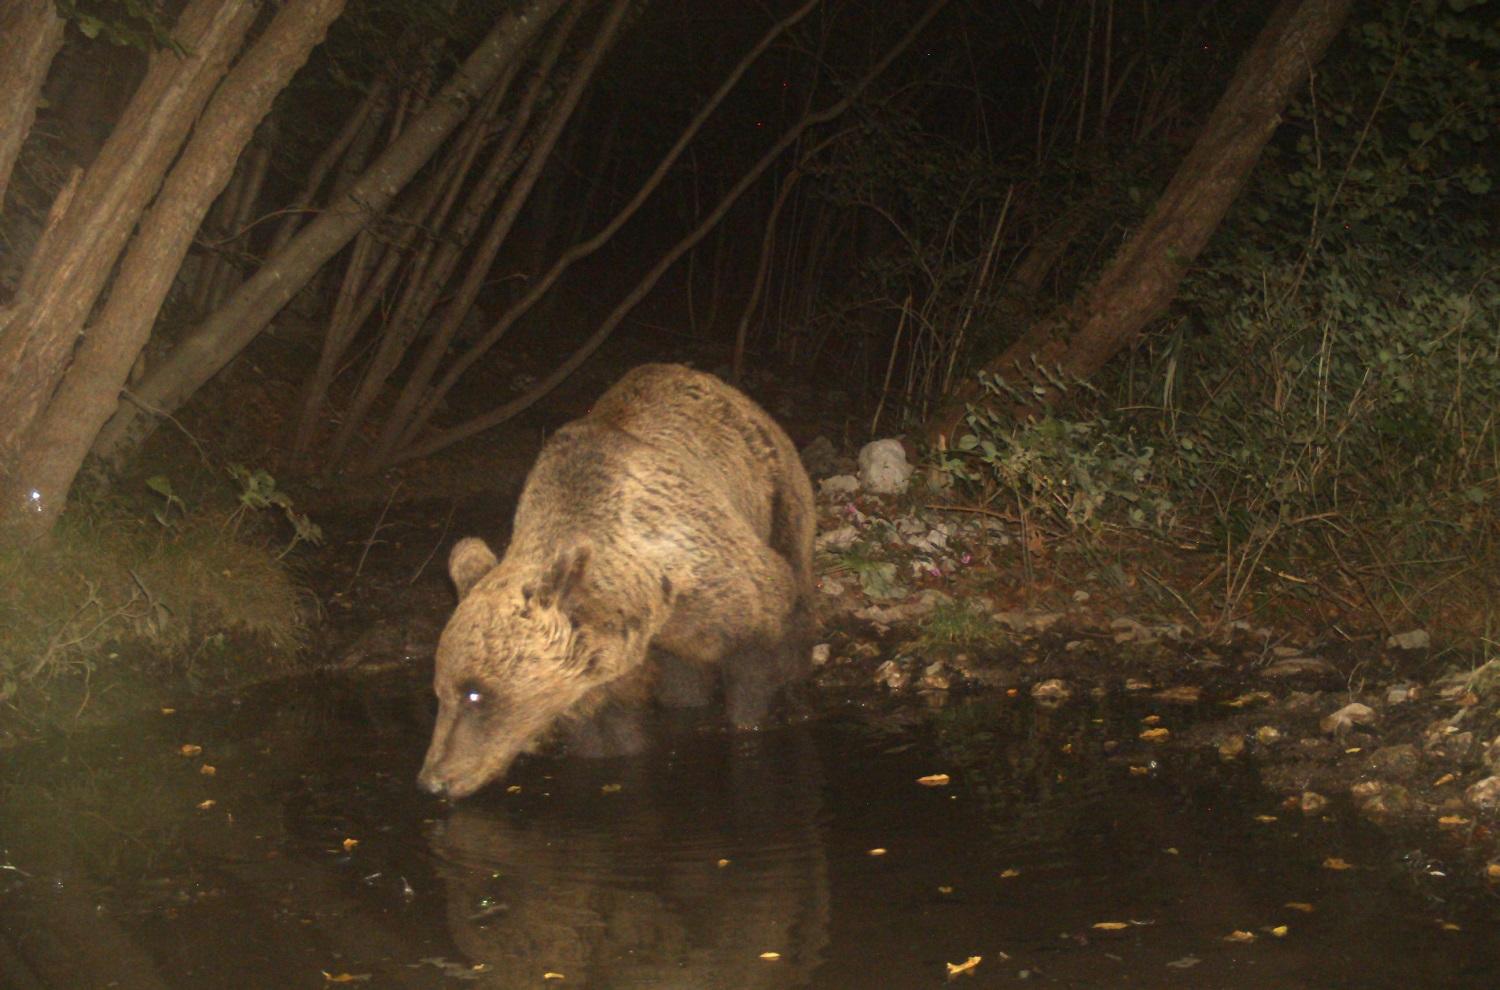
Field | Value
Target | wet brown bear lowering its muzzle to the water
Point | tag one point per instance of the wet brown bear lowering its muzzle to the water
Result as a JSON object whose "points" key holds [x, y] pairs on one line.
{"points": [[674, 518]]}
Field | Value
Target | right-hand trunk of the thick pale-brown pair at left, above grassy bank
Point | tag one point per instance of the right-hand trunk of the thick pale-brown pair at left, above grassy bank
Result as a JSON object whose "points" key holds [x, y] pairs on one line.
{"points": [[89, 394]]}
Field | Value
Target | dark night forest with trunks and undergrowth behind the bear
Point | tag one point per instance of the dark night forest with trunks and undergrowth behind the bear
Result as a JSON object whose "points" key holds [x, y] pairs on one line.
{"points": [[1201, 298]]}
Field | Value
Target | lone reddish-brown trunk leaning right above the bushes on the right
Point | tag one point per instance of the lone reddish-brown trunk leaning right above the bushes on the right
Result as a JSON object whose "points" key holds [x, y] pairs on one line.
{"points": [[1141, 281]]}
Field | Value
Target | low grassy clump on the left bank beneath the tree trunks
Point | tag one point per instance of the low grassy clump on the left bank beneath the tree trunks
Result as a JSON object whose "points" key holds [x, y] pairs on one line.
{"points": [[172, 577]]}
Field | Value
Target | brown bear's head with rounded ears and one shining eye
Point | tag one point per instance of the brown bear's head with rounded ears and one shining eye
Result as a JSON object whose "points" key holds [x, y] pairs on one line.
{"points": [[527, 643]]}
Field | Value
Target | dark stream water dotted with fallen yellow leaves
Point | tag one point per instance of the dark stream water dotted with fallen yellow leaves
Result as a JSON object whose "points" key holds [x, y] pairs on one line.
{"points": [[320, 863]]}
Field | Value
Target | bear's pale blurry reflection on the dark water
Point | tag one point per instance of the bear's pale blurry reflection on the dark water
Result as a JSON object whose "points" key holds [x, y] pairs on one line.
{"points": [[682, 878]]}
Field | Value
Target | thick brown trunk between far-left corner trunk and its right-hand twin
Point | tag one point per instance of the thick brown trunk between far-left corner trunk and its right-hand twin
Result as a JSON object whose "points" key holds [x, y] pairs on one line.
{"points": [[88, 230]]}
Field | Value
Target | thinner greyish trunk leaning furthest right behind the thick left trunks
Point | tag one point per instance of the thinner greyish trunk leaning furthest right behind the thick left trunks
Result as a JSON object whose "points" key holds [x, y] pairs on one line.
{"points": [[224, 335]]}
